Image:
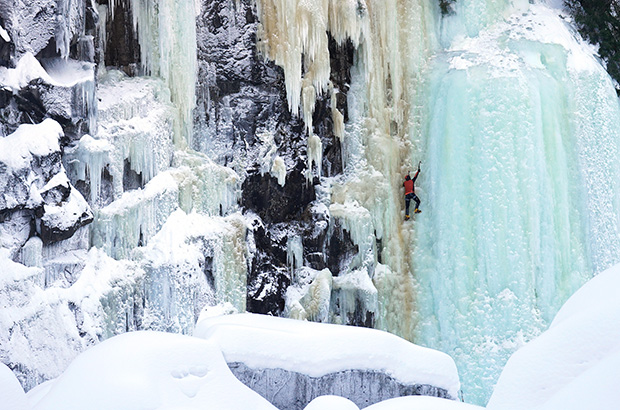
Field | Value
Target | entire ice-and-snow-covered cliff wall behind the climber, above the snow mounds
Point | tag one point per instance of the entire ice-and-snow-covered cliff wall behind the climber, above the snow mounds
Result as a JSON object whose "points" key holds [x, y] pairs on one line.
{"points": [[251, 153]]}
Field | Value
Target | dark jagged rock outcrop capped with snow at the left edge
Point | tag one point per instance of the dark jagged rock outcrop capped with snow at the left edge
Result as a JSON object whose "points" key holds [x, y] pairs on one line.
{"points": [[34, 188]]}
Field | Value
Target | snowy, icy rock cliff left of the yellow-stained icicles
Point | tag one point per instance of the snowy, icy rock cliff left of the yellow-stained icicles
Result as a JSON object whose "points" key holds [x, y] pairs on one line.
{"points": [[124, 158]]}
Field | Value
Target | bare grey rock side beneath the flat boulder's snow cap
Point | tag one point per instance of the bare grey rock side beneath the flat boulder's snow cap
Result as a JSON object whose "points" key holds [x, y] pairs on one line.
{"points": [[292, 390]]}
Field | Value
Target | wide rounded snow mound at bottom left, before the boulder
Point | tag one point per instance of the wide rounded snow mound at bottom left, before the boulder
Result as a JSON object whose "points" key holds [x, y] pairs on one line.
{"points": [[148, 370]]}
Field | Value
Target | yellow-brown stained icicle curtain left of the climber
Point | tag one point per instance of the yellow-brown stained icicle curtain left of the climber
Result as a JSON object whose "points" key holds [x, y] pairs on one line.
{"points": [[384, 111]]}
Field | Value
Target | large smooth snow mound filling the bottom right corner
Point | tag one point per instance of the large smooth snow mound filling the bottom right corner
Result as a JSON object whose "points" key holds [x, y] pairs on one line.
{"points": [[575, 364]]}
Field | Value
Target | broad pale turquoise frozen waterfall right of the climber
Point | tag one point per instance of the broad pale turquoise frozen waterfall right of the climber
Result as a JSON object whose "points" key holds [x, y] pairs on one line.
{"points": [[521, 184]]}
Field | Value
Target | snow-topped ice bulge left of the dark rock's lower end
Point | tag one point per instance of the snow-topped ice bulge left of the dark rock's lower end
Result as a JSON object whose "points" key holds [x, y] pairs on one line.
{"points": [[209, 252]]}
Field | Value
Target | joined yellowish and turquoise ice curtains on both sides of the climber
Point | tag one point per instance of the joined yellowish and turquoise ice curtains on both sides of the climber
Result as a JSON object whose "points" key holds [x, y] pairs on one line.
{"points": [[520, 117]]}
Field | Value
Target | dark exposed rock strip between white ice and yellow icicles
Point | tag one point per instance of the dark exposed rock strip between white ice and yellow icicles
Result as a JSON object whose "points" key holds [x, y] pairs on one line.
{"points": [[245, 123]]}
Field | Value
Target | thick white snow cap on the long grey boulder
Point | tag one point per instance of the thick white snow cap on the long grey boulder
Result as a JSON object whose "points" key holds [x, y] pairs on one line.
{"points": [[318, 349]]}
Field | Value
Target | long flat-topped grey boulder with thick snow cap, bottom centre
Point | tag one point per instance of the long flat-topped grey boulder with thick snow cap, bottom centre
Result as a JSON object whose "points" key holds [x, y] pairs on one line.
{"points": [[292, 362]]}
